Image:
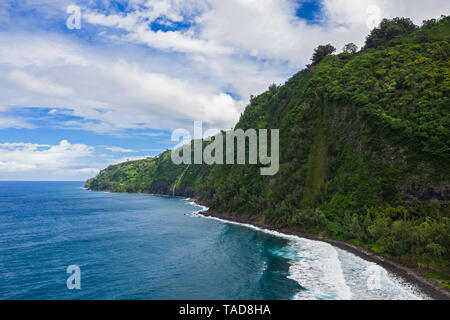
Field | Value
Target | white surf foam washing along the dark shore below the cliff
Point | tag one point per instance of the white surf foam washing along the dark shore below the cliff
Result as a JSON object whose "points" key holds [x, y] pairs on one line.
{"points": [[327, 272]]}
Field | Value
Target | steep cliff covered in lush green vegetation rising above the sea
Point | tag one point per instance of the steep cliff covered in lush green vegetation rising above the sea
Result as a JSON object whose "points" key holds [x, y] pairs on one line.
{"points": [[364, 149]]}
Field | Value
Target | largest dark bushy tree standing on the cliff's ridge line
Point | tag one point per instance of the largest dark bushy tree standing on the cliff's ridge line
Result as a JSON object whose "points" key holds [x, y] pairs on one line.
{"points": [[388, 30]]}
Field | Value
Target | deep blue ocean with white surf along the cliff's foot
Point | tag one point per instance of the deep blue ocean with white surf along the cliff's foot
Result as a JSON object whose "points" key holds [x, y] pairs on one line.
{"points": [[139, 246]]}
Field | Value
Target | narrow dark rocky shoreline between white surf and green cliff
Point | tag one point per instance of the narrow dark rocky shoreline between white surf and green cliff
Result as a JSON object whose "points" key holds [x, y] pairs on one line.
{"points": [[424, 284]]}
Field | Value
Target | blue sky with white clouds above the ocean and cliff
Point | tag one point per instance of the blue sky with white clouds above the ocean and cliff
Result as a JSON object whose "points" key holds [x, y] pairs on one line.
{"points": [[77, 98]]}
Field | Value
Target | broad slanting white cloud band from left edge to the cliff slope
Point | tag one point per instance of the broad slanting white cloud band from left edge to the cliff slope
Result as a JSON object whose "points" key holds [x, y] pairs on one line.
{"points": [[115, 93]]}
